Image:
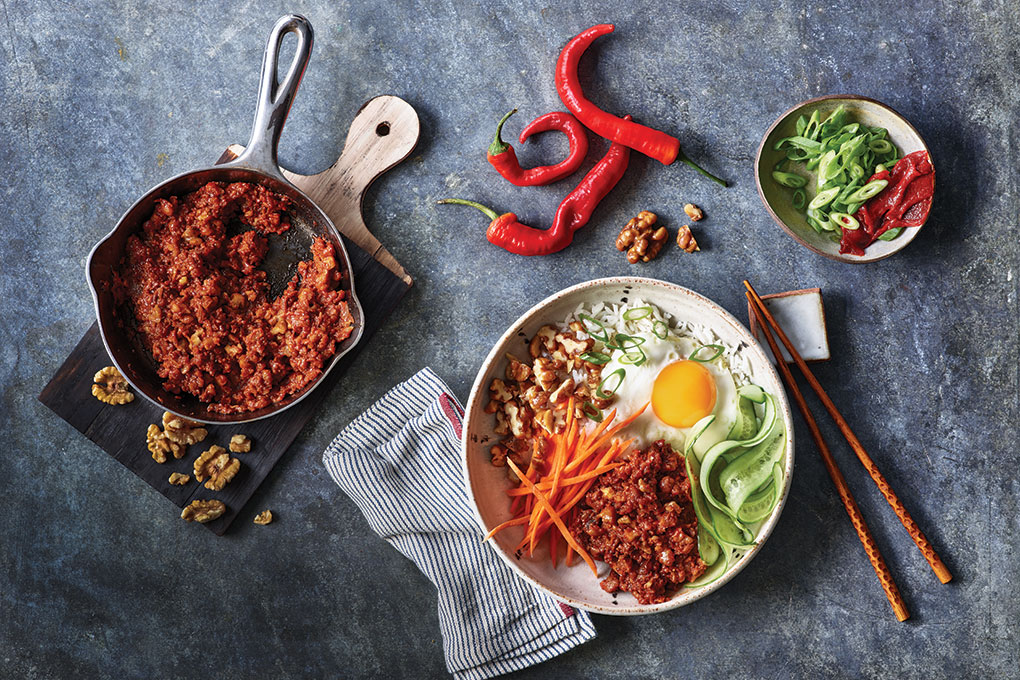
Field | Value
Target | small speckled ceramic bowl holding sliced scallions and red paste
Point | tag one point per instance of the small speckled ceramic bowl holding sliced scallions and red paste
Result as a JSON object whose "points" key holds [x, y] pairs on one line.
{"points": [[778, 198]]}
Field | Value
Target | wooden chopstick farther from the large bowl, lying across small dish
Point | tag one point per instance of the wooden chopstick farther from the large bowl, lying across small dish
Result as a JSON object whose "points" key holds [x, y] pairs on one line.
{"points": [[942, 571]]}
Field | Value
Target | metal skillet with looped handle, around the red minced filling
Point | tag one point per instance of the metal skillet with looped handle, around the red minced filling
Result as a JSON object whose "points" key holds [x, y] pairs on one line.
{"points": [[258, 166]]}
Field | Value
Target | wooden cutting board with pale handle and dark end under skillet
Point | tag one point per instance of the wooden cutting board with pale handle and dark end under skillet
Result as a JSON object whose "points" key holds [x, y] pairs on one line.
{"points": [[384, 133]]}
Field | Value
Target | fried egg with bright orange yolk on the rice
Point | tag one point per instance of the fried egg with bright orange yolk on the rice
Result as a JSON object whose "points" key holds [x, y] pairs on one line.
{"points": [[682, 393]]}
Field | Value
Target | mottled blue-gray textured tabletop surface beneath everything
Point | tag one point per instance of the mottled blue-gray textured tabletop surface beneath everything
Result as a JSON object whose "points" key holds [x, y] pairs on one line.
{"points": [[99, 101]]}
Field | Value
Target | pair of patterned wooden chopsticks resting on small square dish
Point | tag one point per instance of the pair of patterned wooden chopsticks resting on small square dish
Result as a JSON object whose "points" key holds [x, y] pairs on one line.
{"points": [[769, 326]]}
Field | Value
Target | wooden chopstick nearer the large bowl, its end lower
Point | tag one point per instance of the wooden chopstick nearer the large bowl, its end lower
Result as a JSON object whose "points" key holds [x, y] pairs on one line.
{"points": [[878, 563]]}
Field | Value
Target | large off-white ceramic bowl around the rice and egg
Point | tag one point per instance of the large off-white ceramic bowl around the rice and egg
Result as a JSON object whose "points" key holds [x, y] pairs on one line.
{"points": [[487, 485]]}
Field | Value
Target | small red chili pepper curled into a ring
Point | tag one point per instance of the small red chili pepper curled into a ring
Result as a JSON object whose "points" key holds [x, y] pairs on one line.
{"points": [[504, 160]]}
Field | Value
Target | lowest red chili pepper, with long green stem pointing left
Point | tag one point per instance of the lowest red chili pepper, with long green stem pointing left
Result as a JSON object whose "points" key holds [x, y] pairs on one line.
{"points": [[509, 234]]}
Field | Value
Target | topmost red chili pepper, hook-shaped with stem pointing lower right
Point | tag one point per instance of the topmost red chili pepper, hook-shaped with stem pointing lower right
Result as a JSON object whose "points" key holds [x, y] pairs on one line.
{"points": [[653, 143]]}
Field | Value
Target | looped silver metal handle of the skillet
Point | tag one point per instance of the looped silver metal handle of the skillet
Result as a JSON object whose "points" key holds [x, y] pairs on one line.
{"points": [[275, 99]]}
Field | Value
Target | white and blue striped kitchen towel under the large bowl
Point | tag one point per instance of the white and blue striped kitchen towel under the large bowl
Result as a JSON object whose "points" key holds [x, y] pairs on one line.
{"points": [[399, 462]]}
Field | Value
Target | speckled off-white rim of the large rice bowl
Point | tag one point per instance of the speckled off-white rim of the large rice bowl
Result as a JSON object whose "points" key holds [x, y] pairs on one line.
{"points": [[480, 389]]}
